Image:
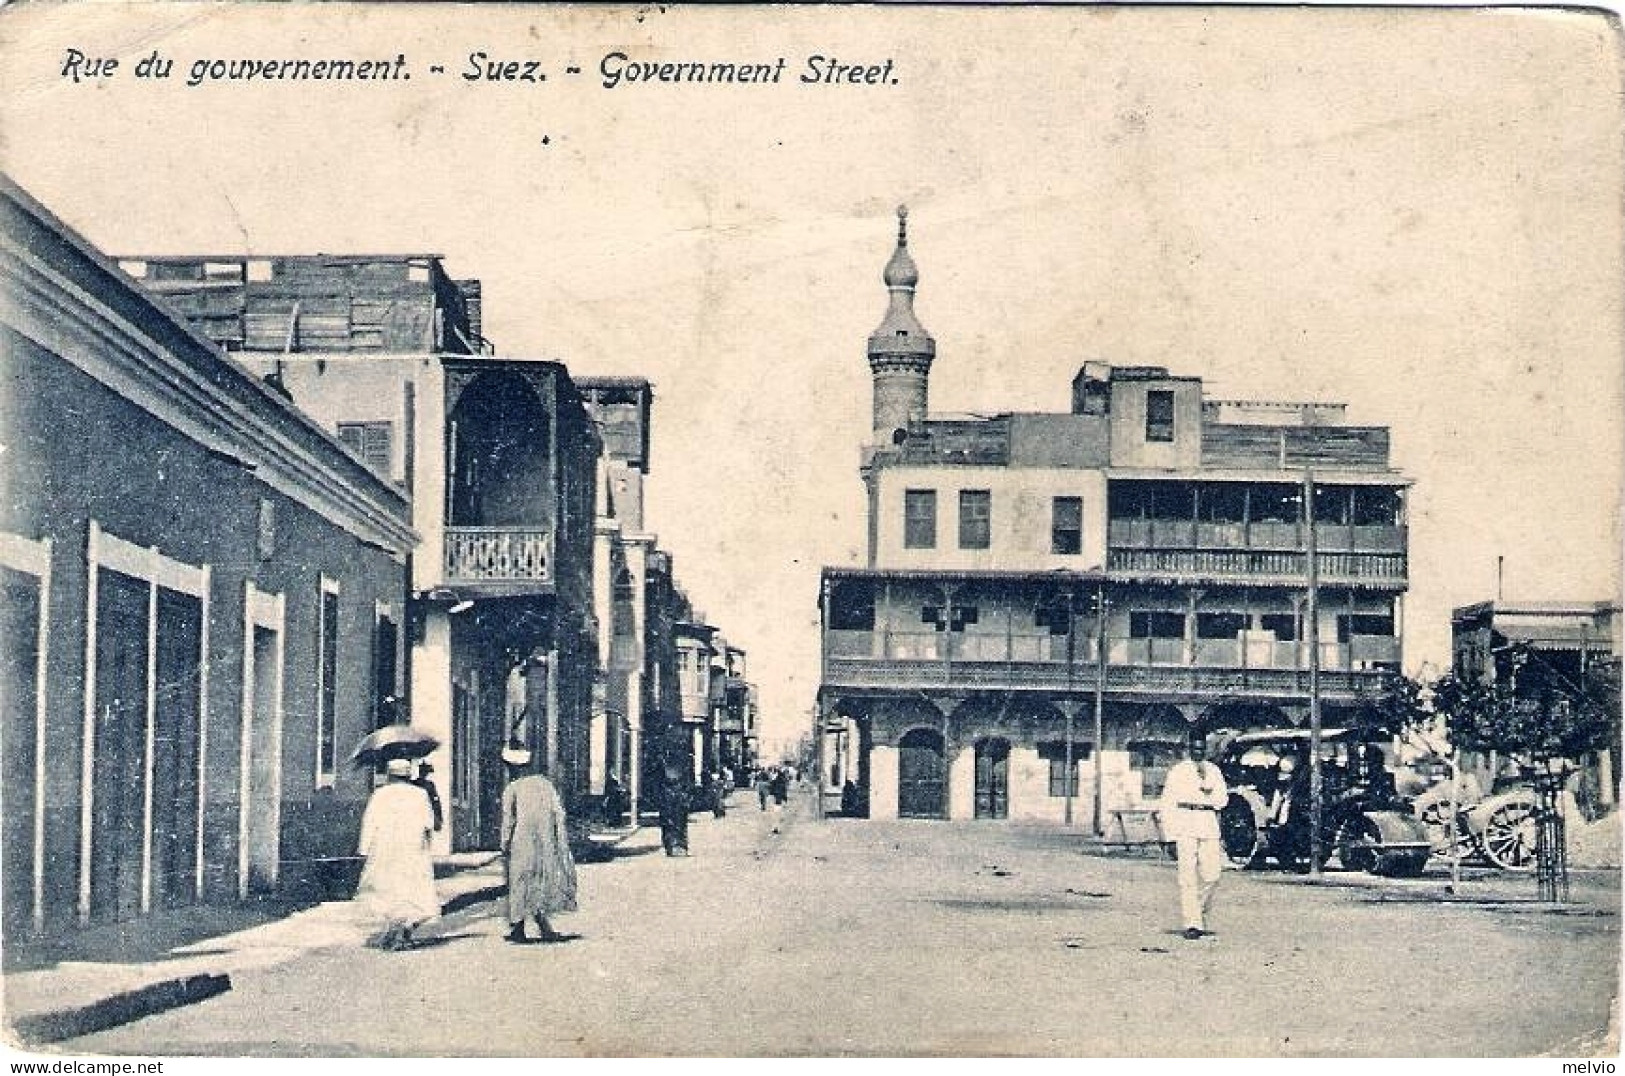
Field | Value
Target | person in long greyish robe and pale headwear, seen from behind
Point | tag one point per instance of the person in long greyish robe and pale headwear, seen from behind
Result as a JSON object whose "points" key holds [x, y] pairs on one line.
{"points": [[537, 849]]}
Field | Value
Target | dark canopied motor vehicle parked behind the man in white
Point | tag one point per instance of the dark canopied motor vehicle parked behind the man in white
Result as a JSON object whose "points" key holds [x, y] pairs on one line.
{"points": [[1366, 825]]}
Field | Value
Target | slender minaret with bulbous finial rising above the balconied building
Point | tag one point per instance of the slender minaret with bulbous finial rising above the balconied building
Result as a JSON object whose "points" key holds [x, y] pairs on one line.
{"points": [[901, 350]]}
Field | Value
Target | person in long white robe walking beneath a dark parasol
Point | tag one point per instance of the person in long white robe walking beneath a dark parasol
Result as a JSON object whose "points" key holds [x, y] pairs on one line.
{"points": [[397, 880]]}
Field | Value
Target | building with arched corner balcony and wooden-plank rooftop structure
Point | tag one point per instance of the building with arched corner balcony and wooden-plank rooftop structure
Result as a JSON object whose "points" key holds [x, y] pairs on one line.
{"points": [[500, 461]]}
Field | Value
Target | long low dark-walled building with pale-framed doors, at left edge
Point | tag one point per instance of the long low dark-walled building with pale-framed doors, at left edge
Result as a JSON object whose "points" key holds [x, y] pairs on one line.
{"points": [[204, 596]]}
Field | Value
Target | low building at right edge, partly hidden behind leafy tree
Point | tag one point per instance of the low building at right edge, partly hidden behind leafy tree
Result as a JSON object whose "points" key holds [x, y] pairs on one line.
{"points": [[1545, 648]]}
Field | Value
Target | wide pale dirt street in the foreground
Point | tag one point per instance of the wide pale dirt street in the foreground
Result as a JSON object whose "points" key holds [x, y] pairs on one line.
{"points": [[934, 939]]}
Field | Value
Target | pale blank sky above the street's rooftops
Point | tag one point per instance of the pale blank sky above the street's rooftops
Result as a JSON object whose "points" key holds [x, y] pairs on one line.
{"points": [[1418, 214]]}
